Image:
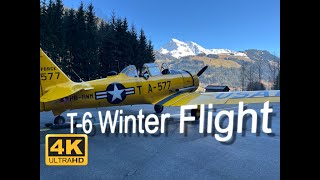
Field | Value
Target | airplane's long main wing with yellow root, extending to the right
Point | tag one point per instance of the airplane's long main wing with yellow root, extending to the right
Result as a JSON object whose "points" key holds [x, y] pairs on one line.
{"points": [[195, 98]]}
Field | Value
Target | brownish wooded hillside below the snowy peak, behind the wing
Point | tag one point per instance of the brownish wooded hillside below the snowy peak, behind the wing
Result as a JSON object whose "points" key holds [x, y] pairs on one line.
{"points": [[259, 70]]}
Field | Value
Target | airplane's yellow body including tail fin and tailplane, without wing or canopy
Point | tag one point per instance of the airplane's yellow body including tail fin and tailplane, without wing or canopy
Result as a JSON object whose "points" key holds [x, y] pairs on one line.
{"points": [[58, 93]]}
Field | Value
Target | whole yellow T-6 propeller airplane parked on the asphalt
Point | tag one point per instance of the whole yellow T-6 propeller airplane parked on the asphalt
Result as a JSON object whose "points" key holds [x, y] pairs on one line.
{"points": [[158, 86]]}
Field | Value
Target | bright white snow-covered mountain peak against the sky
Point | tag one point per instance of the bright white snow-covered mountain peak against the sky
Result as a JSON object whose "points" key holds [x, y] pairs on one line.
{"points": [[180, 49]]}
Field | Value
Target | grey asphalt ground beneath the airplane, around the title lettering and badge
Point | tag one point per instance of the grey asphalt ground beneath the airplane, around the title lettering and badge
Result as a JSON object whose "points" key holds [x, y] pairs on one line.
{"points": [[172, 155]]}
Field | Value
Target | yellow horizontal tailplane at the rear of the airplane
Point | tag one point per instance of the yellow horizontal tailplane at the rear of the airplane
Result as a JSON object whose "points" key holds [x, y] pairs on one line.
{"points": [[63, 90]]}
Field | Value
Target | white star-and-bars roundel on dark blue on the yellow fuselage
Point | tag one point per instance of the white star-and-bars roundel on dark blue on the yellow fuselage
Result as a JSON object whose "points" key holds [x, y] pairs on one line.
{"points": [[115, 93]]}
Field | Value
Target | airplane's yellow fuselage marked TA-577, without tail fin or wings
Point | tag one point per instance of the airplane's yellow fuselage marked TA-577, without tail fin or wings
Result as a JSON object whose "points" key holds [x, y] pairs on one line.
{"points": [[121, 90]]}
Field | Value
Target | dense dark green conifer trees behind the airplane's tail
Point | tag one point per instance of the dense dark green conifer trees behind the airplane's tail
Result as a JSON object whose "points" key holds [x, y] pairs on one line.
{"points": [[78, 41]]}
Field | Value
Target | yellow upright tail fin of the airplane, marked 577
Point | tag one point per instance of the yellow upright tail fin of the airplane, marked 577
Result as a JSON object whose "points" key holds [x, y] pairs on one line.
{"points": [[50, 73]]}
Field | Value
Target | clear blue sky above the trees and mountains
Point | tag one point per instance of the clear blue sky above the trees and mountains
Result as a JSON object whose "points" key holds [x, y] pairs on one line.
{"points": [[230, 24]]}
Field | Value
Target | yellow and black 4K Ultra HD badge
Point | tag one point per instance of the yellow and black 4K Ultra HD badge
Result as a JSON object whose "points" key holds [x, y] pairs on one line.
{"points": [[66, 149]]}
